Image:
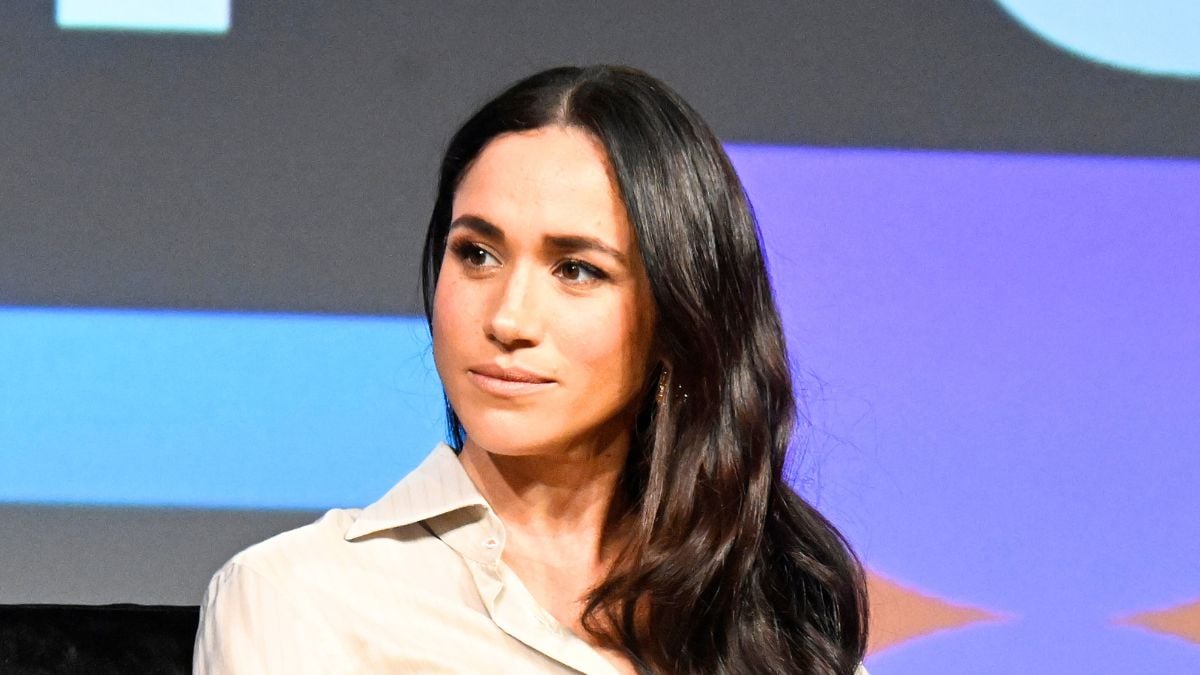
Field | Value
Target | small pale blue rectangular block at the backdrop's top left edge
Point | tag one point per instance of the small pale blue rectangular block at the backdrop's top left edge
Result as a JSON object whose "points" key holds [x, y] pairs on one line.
{"points": [[152, 16]]}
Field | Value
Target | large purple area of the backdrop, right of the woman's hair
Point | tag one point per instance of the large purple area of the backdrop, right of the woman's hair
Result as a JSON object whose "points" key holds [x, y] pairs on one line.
{"points": [[1003, 356]]}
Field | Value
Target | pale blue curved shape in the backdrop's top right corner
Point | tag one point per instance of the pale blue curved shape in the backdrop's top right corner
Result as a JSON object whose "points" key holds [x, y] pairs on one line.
{"points": [[1150, 37]]}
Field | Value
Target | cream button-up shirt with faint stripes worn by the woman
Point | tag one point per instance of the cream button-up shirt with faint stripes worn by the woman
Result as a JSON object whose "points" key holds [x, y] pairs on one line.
{"points": [[415, 583]]}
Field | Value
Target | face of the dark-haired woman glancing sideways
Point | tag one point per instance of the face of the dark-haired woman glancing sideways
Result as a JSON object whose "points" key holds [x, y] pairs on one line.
{"points": [[543, 320]]}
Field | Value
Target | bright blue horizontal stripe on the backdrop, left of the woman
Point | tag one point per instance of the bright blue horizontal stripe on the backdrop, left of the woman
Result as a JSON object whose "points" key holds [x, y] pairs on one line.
{"points": [[212, 410]]}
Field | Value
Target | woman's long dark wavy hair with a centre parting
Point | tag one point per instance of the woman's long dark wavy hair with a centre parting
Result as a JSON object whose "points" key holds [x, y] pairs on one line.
{"points": [[727, 569]]}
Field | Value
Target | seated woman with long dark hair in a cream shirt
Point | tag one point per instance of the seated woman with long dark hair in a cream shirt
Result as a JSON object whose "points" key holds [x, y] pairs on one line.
{"points": [[620, 405]]}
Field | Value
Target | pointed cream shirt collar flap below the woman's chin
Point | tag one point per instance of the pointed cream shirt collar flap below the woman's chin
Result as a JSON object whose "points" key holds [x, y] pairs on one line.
{"points": [[440, 486]]}
